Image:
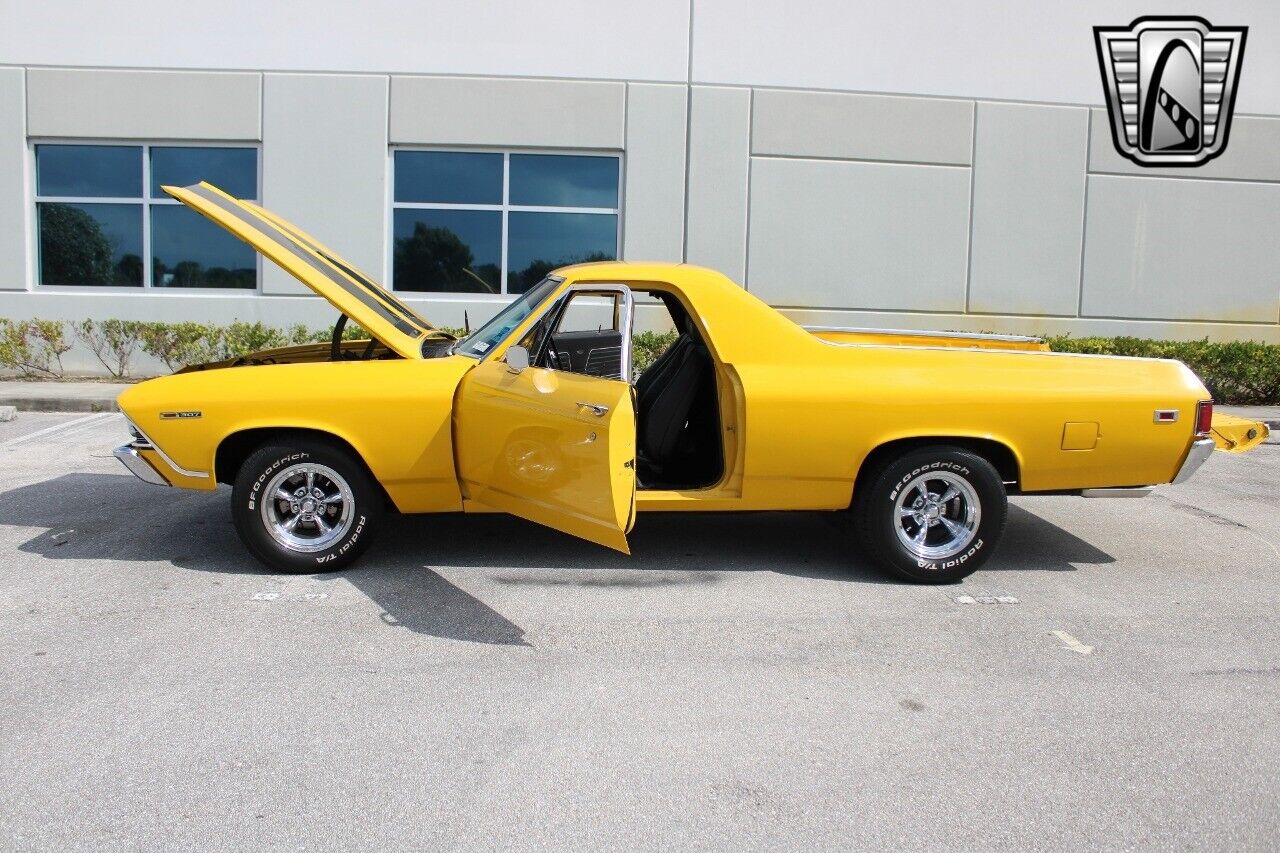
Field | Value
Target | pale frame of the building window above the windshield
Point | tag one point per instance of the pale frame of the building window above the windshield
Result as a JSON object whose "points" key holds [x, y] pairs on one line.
{"points": [[506, 209]]}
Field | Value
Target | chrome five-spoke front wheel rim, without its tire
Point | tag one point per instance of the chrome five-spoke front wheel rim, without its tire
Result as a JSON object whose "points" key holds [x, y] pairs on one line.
{"points": [[308, 508]]}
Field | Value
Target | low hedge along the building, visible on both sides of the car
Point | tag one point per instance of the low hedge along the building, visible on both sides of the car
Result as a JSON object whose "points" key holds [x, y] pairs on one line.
{"points": [[1240, 372]]}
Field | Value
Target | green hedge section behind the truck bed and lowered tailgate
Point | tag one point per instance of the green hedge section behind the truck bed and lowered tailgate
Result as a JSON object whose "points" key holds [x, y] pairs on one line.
{"points": [[1241, 373]]}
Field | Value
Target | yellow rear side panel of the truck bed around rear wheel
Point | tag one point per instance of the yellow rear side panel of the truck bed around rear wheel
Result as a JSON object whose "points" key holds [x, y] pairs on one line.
{"points": [[815, 421]]}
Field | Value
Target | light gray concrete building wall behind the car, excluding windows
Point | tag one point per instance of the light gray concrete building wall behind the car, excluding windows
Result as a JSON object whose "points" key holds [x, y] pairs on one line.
{"points": [[964, 180]]}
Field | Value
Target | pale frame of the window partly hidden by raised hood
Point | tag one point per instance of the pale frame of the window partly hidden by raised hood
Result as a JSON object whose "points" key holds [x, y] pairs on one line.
{"points": [[145, 200]]}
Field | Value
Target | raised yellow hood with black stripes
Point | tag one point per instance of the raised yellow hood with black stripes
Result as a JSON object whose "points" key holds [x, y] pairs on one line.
{"points": [[349, 290]]}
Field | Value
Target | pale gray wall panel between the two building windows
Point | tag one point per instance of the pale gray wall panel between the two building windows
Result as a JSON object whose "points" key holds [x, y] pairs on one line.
{"points": [[324, 166]]}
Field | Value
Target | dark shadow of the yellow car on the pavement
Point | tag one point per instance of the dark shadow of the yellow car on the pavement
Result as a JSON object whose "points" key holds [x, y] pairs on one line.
{"points": [[104, 517]]}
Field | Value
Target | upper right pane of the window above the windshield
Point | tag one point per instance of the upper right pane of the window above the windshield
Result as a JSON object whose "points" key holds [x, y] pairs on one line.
{"points": [[564, 181]]}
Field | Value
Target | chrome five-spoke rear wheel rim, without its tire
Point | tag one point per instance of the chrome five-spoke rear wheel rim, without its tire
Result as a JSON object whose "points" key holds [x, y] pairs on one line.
{"points": [[938, 516]]}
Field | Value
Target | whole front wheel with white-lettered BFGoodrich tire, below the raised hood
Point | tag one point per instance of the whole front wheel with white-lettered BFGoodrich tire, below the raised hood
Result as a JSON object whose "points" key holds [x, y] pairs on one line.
{"points": [[305, 507]]}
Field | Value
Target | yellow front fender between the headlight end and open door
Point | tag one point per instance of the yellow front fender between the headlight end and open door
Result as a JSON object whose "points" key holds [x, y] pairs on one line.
{"points": [[397, 414]]}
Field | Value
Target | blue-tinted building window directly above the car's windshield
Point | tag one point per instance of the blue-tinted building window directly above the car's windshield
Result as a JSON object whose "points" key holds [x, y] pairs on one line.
{"points": [[479, 222]]}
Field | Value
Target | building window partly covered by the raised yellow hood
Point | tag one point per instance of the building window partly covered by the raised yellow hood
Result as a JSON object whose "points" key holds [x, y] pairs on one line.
{"points": [[100, 212]]}
